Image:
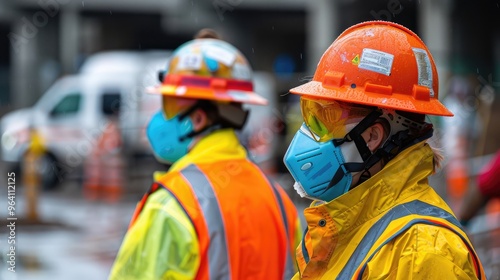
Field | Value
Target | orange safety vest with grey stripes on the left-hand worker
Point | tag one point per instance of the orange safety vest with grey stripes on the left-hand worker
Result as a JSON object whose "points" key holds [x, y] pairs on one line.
{"points": [[245, 224]]}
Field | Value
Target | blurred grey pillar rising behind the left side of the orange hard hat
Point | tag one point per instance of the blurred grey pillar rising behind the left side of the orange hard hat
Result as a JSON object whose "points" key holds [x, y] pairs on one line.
{"points": [[322, 28]]}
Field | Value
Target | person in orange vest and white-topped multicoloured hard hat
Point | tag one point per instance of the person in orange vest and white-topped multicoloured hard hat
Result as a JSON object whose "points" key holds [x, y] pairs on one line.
{"points": [[214, 214]]}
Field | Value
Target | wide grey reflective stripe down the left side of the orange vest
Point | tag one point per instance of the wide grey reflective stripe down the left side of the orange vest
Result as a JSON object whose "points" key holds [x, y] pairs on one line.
{"points": [[218, 254]]}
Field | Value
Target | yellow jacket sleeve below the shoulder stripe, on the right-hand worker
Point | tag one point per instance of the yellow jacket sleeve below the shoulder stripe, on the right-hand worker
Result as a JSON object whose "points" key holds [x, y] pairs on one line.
{"points": [[423, 252]]}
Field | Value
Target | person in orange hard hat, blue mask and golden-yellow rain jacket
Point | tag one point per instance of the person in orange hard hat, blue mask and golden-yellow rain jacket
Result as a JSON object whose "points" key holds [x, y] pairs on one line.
{"points": [[362, 155]]}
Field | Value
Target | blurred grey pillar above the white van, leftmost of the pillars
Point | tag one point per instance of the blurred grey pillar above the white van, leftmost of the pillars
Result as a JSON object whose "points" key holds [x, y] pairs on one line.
{"points": [[69, 39]]}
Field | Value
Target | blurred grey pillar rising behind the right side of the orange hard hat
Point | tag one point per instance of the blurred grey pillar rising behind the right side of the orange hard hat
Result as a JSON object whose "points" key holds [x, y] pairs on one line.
{"points": [[434, 24]]}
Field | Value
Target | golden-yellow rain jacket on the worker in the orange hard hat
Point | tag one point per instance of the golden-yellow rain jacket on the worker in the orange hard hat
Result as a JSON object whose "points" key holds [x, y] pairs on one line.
{"points": [[392, 226]]}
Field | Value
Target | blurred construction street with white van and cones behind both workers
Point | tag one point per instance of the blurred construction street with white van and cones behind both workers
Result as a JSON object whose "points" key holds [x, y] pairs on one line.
{"points": [[73, 106]]}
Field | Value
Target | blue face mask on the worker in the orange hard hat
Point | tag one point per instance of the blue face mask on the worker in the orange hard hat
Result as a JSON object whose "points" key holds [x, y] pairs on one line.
{"points": [[313, 165]]}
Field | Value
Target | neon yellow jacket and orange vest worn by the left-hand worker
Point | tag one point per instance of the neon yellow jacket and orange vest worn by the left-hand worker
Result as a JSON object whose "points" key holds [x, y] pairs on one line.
{"points": [[213, 215]]}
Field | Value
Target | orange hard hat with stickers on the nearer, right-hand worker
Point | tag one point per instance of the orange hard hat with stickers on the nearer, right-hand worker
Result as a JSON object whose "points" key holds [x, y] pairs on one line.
{"points": [[380, 64]]}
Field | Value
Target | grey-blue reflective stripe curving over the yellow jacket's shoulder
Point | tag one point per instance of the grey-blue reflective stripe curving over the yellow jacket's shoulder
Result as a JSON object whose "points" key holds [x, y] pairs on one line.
{"points": [[415, 207]]}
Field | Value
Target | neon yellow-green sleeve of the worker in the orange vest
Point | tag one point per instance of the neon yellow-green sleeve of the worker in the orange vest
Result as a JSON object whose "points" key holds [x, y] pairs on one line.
{"points": [[162, 243]]}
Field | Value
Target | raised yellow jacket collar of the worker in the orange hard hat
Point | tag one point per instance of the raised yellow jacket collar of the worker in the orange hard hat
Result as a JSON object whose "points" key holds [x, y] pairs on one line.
{"points": [[401, 177]]}
